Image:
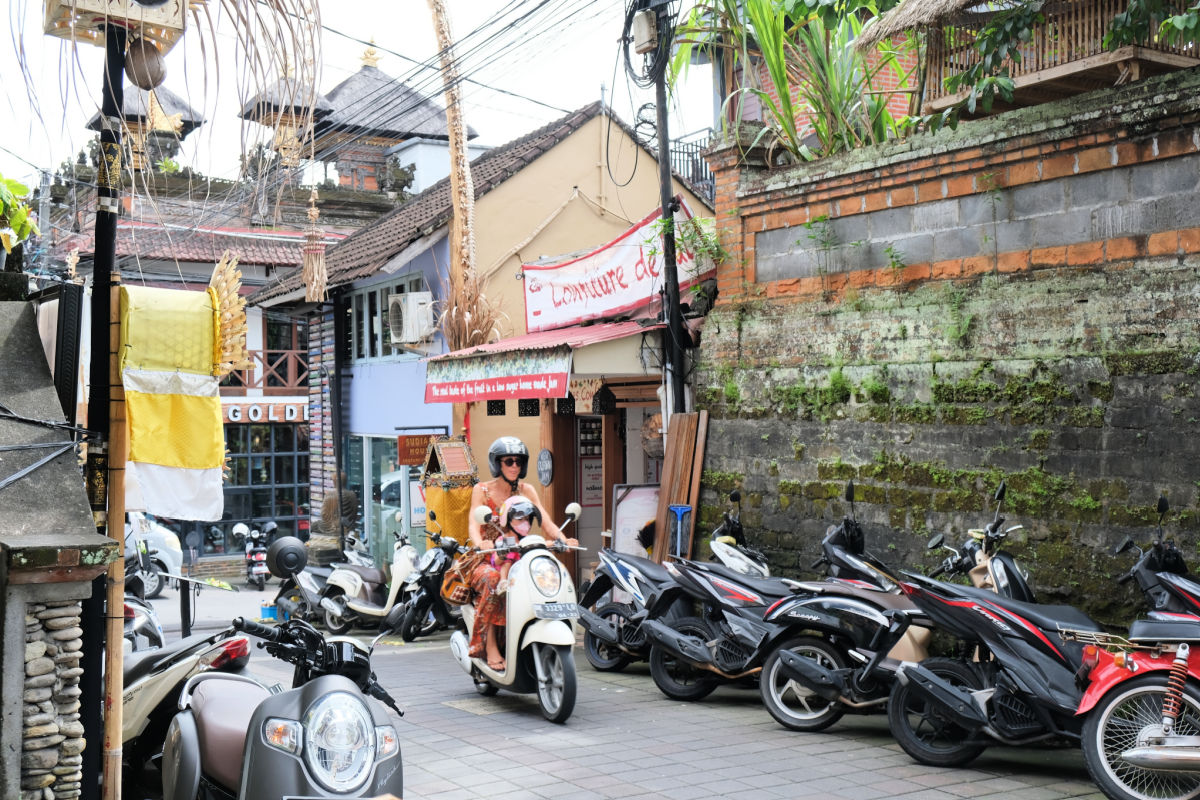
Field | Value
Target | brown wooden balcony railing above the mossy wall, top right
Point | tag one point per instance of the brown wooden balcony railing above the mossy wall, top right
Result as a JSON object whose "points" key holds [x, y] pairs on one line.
{"points": [[1073, 34]]}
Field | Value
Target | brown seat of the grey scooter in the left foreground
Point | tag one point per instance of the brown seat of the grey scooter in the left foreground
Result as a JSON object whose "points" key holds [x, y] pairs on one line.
{"points": [[223, 711]]}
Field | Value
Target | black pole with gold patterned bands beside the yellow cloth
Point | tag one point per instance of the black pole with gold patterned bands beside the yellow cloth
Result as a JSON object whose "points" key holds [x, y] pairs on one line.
{"points": [[109, 181]]}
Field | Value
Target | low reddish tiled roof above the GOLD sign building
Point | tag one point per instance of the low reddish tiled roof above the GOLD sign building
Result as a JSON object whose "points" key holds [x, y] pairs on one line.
{"points": [[148, 242]]}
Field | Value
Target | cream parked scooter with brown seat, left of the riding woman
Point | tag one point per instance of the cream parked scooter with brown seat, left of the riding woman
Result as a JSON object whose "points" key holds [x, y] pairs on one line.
{"points": [[364, 596]]}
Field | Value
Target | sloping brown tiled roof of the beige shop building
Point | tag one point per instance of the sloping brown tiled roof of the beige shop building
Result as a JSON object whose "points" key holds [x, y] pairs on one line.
{"points": [[369, 249]]}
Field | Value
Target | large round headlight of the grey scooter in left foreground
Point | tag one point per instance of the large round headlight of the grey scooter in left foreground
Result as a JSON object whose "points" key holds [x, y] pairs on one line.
{"points": [[340, 747]]}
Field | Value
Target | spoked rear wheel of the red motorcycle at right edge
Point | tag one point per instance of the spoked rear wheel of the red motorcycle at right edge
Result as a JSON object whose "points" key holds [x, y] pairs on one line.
{"points": [[1113, 729]]}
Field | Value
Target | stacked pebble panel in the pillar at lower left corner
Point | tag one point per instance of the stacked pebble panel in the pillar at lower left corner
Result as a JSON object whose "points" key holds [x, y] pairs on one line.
{"points": [[52, 745]]}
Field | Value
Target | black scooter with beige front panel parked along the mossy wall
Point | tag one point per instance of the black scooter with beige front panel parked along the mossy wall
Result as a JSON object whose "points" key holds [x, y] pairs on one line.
{"points": [[867, 627]]}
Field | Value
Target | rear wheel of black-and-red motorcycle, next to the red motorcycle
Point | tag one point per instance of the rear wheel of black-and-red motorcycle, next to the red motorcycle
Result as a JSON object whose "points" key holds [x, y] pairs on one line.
{"points": [[921, 731]]}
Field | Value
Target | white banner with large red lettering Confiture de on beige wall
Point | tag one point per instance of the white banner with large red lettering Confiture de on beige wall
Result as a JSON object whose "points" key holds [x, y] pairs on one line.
{"points": [[622, 276]]}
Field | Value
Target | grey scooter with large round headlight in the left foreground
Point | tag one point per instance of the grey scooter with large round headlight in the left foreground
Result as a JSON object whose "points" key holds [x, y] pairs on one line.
{"points": [[328, 737]]}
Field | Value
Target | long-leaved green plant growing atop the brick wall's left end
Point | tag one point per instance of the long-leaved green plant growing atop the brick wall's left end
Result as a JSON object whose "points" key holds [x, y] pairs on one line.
{"points": [[820, 100]]}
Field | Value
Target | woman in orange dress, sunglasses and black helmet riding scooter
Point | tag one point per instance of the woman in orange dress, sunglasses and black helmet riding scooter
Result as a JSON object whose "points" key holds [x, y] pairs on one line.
{"points": [[508, 459]]}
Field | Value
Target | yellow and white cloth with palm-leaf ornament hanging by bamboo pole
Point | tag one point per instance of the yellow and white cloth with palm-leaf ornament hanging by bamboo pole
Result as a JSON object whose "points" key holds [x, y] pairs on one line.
{"points": [[175, 347]]}
